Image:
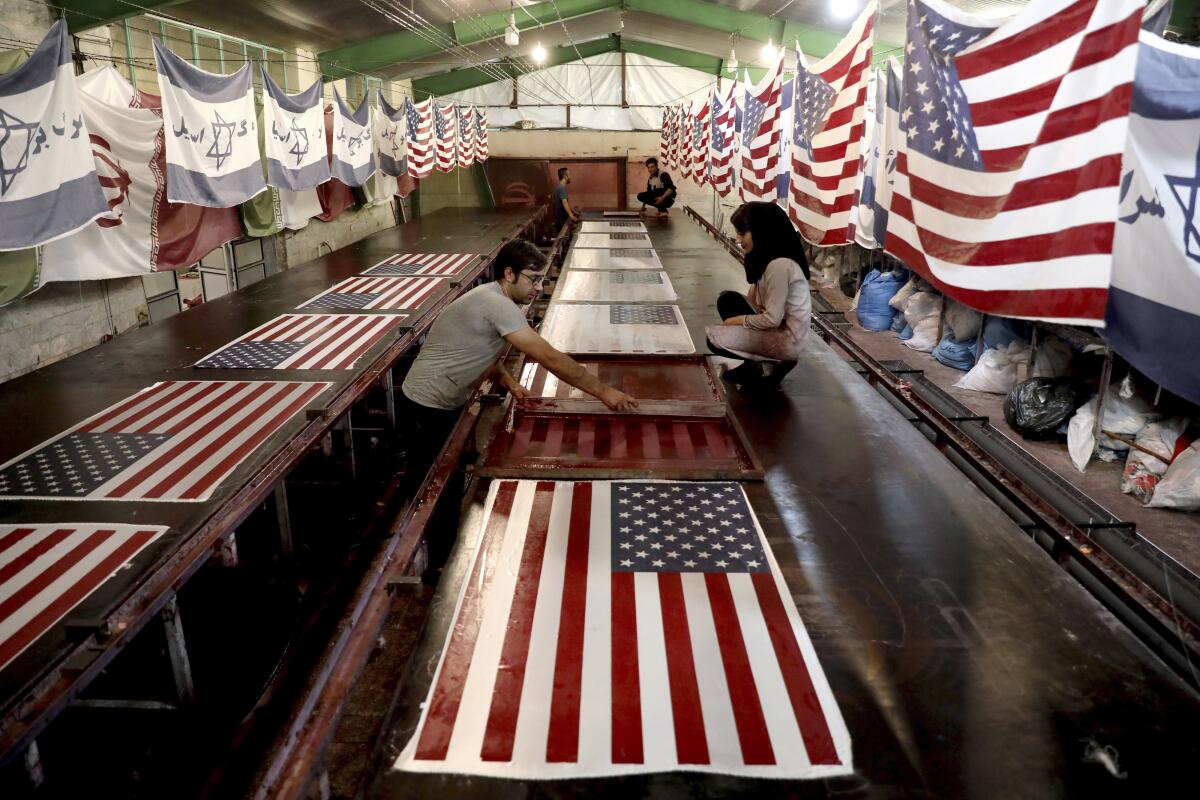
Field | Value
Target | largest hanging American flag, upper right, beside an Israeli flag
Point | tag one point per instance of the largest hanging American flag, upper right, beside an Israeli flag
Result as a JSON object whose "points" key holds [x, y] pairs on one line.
{"points": [[1006, 196]]}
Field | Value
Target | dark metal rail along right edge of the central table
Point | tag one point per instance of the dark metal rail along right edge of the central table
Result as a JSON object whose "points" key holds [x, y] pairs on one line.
{"points": [[1132, 599]]}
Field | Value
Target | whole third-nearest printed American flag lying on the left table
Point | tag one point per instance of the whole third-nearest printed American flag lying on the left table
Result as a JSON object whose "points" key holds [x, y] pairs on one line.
{"points": [[304, 342]]}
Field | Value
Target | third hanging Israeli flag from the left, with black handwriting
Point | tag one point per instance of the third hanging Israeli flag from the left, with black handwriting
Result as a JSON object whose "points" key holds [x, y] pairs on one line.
{"points": [[297, 155]]}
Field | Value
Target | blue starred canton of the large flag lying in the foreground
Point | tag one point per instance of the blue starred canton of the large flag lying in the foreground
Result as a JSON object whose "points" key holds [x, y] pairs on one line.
{"points": [[685, 528]]}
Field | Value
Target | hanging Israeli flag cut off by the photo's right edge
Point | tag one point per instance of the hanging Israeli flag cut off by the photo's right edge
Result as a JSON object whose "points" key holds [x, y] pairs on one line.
{"points": [[1154, 312]]}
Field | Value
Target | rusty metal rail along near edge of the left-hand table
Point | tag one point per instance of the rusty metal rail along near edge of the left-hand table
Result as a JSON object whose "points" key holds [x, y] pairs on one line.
{"points": [[26, 719]]}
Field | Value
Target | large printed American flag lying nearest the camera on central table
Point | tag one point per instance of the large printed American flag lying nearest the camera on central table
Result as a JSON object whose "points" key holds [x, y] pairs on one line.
{"points": [[626, 628]]}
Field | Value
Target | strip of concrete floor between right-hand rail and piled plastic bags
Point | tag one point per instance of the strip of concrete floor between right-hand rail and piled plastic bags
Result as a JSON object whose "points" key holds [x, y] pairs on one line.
{"points": [[1177, 534]]}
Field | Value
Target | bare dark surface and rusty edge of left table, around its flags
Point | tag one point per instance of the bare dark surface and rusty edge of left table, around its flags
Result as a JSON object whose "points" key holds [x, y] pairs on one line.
{"points": [[47, 676]]}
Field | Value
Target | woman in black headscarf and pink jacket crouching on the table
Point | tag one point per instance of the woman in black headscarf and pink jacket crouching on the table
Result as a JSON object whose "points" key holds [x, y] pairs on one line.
{"points": [[766, 327]]}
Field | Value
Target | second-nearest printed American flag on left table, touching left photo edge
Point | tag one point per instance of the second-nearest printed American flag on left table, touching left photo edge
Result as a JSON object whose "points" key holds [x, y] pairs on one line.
{"points": [[176, 441]]}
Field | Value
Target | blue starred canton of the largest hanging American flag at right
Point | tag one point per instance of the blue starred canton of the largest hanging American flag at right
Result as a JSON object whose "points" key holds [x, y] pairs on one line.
{"points": [[935, 118]]}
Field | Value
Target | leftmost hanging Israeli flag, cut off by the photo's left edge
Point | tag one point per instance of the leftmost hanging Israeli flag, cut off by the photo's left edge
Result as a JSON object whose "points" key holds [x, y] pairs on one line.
{"points": [[49, 183]]}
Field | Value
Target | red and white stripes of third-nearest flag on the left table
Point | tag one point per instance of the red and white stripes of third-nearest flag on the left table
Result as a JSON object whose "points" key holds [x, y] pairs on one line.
{"points": [[332, 341]]}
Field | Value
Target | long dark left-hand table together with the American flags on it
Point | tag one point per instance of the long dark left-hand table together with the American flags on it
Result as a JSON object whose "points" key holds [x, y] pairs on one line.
{"points": [[286, 383]]}
